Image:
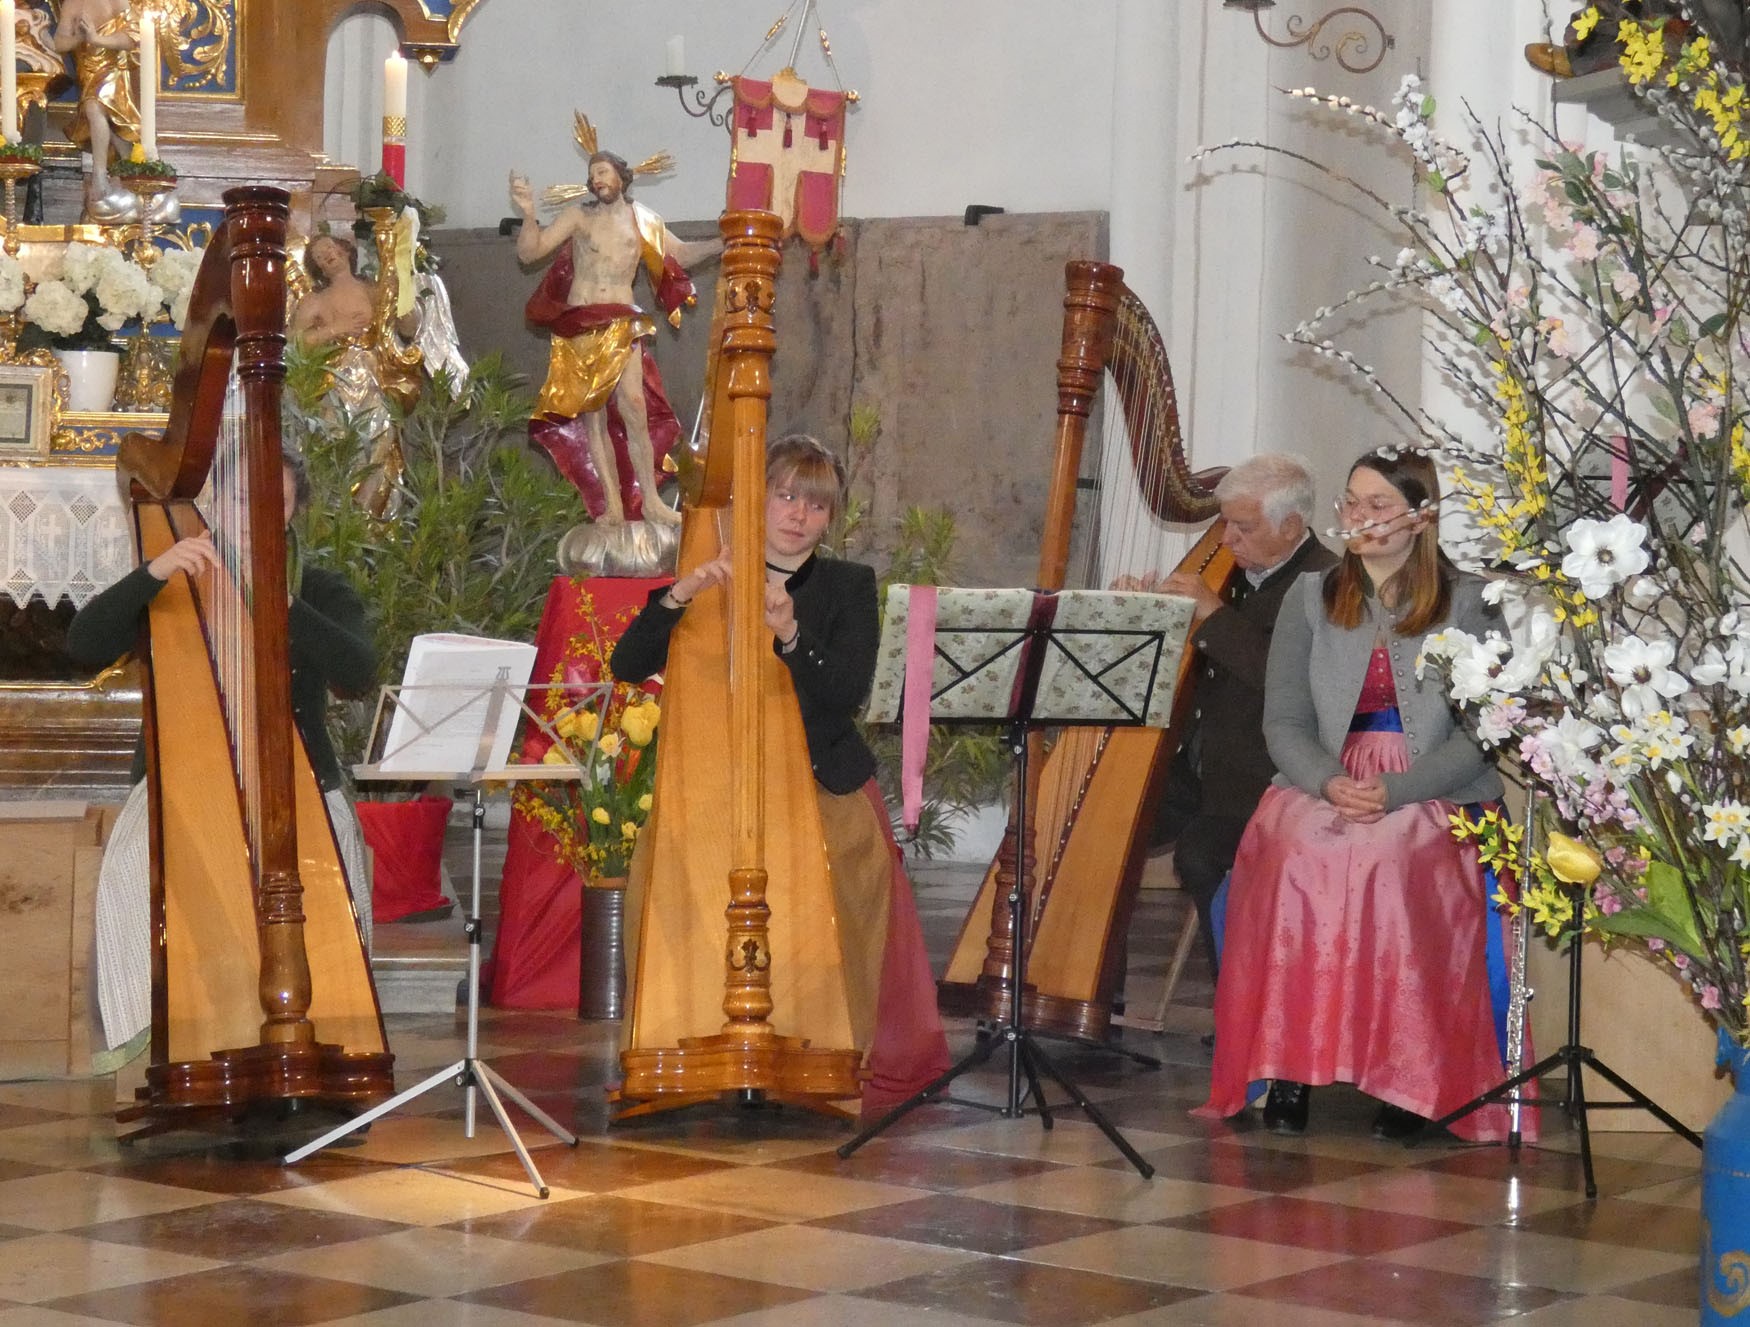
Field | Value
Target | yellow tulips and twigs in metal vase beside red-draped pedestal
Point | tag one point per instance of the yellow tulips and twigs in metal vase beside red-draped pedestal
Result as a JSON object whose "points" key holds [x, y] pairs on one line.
{"points": [[612, 734]]}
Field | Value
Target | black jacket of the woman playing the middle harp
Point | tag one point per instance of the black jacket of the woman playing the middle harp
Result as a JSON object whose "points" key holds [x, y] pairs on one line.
{"points": [[832, 666]]}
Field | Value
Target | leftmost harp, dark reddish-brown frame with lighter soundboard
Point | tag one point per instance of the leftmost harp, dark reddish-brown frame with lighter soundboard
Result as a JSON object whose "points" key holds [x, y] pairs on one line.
{"points": [[260, 983]]}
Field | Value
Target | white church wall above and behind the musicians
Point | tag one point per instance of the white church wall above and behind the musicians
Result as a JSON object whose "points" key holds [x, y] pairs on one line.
{"points": [[1032, 106]]}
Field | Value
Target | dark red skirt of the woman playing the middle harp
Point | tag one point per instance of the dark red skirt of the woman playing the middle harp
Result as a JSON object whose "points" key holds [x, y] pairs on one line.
{"points": [[909, 1050]]}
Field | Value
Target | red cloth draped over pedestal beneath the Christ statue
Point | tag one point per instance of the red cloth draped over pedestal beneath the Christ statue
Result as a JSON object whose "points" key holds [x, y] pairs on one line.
{"points": [[535, 958]]}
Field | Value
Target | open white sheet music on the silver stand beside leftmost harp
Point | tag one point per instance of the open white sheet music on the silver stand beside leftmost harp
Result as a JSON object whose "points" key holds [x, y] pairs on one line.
{"points": [[445, 699]]}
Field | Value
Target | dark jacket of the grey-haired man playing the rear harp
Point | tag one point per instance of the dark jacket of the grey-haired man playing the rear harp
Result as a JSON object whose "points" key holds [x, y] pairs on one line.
{"points": [[1235, 647]]}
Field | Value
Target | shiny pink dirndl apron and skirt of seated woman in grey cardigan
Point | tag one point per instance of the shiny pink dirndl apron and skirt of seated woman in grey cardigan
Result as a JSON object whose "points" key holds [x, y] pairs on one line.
{"points": [[1357, 953]]}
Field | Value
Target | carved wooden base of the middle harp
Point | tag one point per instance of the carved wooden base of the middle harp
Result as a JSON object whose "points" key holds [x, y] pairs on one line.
{"points": [[703, 1069]]}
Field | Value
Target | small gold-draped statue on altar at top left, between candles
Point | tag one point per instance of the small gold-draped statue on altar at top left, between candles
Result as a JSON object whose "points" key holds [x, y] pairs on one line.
{"points": [[102, 39]]}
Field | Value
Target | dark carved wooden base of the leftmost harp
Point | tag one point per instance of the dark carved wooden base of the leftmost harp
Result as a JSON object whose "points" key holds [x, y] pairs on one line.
{"points": [[234, 1079]]}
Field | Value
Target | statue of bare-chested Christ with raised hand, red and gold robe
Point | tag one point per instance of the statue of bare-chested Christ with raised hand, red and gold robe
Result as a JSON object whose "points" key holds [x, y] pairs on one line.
{"points": [[603, 414]]}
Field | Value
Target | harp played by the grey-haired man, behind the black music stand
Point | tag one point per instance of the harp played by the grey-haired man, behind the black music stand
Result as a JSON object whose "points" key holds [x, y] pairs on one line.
{"points": [[1096, 787]]}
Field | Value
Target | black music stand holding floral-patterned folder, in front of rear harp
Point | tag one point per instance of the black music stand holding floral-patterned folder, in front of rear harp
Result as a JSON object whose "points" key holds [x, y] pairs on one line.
{"points": [[1033, 661]]}
